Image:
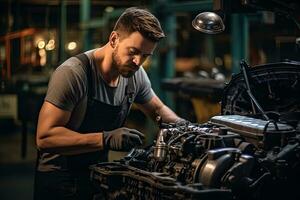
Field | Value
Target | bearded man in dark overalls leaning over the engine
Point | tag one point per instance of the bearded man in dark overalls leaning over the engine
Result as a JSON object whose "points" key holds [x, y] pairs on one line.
{"points": [[87, 102]]}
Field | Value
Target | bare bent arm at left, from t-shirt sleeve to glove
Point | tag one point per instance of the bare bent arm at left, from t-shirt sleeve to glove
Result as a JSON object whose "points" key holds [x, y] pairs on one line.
{"points": [[53, 136]]}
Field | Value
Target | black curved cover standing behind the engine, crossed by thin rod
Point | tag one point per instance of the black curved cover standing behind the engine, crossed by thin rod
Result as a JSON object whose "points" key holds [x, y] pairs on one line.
{"points": [[276, 87]]}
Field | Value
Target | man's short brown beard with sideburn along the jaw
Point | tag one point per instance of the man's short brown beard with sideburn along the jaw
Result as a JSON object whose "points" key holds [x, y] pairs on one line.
{"points": [[127, 69]]}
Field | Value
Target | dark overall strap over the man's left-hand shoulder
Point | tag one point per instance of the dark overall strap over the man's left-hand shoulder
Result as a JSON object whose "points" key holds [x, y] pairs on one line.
{"points": [[87, 68]]}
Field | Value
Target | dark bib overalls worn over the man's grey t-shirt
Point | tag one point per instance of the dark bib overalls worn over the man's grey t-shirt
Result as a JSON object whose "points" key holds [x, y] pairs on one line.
{"points": [[74, 182]]}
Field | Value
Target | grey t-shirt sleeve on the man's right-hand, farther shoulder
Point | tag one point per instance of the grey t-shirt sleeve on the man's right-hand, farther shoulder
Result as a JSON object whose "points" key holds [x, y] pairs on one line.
{"points": [[143, 85]]}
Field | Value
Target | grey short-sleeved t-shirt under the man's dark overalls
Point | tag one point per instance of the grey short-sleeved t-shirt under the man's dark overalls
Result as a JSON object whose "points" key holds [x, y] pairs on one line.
{"points": [[68, 88]]}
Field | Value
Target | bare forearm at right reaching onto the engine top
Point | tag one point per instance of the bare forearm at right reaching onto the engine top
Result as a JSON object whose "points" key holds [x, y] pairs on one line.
{"points": [[156, 107]]}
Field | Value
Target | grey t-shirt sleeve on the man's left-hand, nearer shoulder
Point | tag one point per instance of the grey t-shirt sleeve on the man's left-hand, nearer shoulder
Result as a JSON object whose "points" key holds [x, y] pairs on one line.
{"points": [[67, 85]]}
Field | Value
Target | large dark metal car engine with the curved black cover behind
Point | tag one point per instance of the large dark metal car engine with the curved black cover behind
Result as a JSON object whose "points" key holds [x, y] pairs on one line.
{"points": [[250, 151]]}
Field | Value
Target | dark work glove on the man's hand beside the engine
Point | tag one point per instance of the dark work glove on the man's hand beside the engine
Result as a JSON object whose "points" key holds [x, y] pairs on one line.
{"points": [[122, 139]]}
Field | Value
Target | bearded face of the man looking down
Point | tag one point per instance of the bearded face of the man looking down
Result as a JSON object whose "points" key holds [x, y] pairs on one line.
{"points": [[130, 53]]}
